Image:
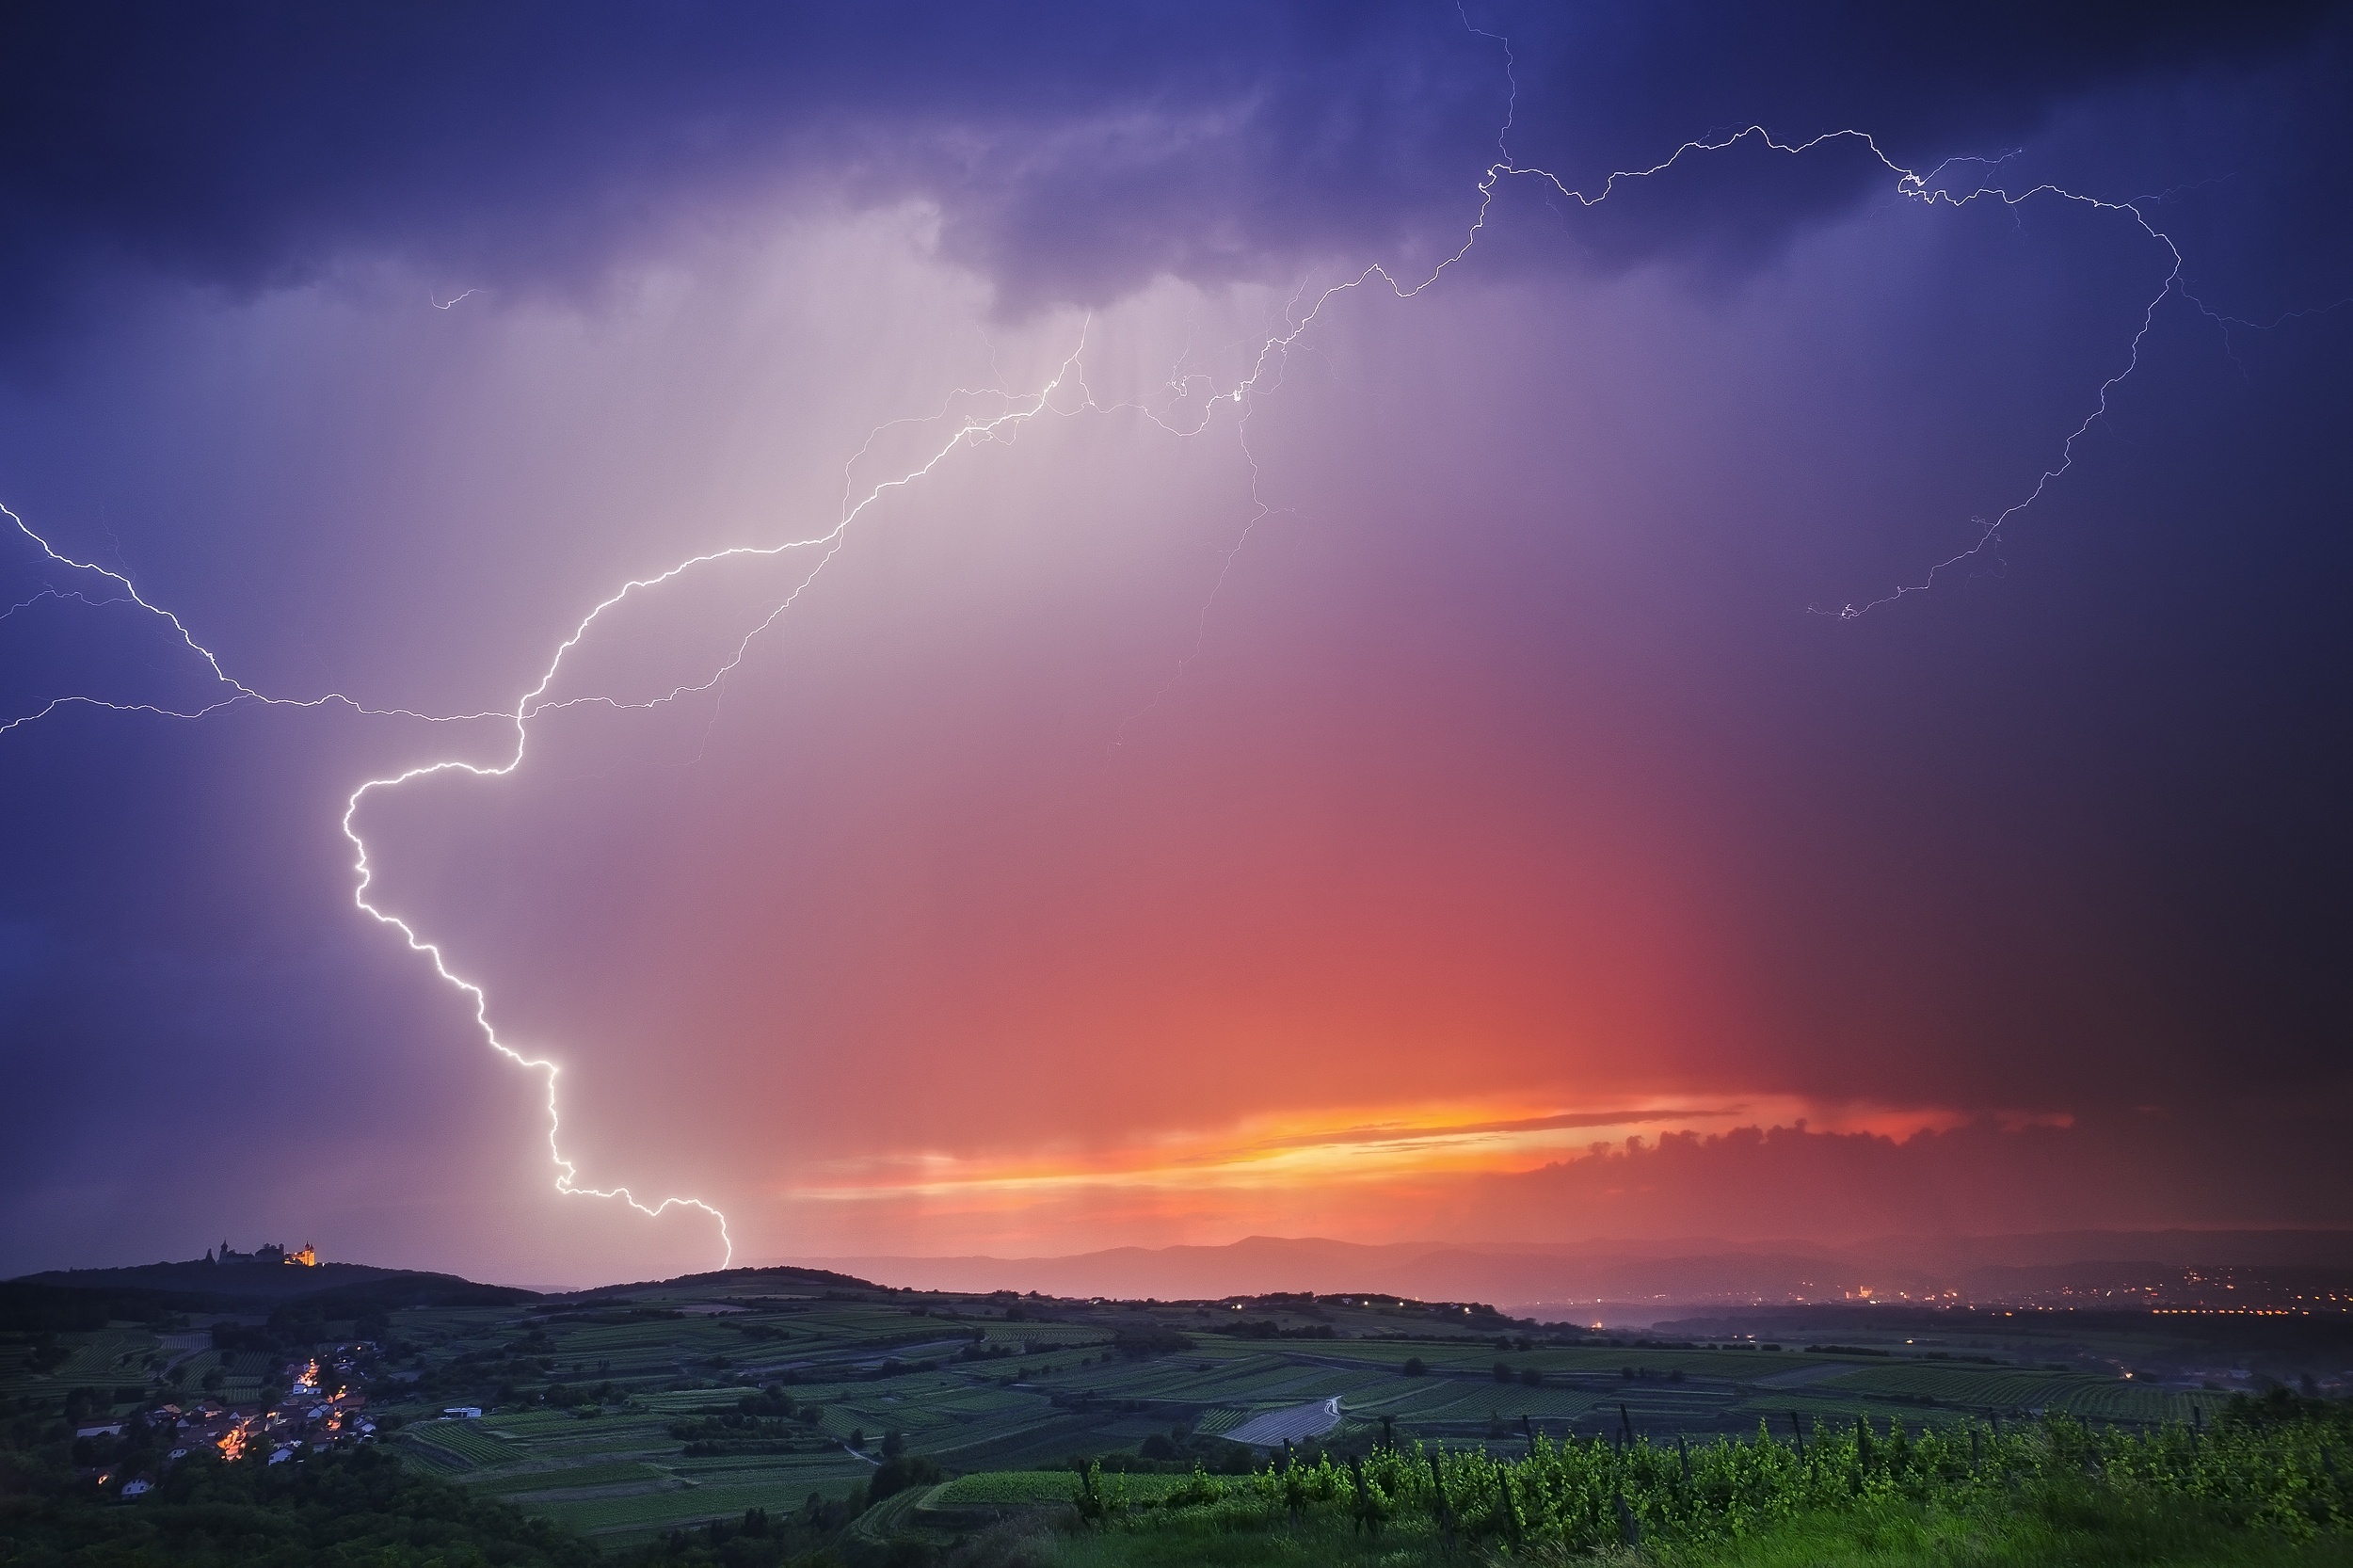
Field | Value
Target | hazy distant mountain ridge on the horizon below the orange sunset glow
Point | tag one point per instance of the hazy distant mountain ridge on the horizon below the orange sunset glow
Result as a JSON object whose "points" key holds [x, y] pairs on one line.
{"points": [[1620, 1273]]}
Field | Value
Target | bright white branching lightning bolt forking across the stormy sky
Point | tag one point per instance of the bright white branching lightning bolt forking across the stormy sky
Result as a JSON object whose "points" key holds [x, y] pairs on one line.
{"points": [[1065, 394]]}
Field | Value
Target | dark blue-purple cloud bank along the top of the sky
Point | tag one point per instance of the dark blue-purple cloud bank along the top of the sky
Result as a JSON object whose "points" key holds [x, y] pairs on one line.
{"points": [[1072, 152]]}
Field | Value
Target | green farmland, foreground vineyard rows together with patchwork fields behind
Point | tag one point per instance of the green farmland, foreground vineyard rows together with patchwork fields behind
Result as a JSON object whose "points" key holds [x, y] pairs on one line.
{"points": [[639, 1414]]}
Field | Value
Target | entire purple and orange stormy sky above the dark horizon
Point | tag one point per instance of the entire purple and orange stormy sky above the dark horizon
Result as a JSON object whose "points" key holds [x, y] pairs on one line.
{"points": [[1387, 776]]}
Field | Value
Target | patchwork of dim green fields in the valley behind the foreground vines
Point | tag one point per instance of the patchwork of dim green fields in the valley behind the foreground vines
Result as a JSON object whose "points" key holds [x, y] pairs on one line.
{"points": [[632, 1414]]}
